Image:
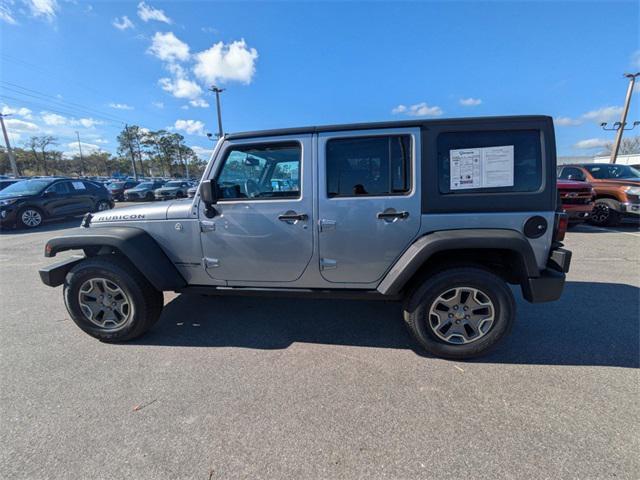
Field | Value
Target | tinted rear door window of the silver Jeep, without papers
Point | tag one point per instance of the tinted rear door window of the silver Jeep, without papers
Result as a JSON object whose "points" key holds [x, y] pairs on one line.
{"points": [[368, 166]]}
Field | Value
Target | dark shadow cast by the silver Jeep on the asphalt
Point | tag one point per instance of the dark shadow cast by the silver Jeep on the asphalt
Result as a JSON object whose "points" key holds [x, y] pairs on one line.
{"points": [[593, 324]]}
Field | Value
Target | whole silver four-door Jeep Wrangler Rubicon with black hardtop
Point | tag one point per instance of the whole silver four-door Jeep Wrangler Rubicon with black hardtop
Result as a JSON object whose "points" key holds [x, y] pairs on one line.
{"points": [[440, 215]]}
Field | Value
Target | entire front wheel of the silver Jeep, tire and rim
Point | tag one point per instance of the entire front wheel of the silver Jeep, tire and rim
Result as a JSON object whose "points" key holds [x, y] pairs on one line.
{"points": [[110, 300]]}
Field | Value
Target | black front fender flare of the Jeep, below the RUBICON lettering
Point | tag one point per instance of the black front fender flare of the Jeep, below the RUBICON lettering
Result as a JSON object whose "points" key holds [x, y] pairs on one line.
{"points": [[134, 243]]}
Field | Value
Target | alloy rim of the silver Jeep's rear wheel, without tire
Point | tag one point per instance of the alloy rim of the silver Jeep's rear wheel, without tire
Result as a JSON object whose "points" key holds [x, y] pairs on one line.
{"points": [[461, 315]]}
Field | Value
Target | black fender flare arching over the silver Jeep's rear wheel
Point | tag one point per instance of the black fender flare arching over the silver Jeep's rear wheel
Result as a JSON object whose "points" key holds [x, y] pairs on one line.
{"points": [[428, 245]]}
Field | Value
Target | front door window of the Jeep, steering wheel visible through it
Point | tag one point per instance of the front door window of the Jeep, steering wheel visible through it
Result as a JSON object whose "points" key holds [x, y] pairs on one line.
{"points": [[261, 171]]}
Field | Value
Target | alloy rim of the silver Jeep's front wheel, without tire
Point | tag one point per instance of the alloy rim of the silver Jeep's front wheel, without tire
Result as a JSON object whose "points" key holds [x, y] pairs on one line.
{"points": [[104, 304]]}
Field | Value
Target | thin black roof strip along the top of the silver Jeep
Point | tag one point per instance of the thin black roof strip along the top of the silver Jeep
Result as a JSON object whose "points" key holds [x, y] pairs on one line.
{"points": [[380, 125]]}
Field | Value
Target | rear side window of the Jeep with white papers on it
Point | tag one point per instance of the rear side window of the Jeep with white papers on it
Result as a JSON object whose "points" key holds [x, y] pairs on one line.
{"points": [[524, 146]]}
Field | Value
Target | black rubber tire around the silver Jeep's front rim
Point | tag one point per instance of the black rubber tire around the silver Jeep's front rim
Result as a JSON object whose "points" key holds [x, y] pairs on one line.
{"points": [[146, 302]]}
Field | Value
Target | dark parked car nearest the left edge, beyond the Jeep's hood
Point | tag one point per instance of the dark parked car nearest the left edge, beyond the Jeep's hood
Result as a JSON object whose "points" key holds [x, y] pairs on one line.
{"points": [[28, 203]]}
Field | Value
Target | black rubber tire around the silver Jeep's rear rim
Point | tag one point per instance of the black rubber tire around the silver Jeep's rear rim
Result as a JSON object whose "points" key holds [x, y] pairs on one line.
{"points": [[419, 302]]}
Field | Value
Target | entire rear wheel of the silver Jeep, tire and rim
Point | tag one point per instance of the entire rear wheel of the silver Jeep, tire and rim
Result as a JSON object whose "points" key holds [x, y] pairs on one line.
{"points": [[460, 313]]}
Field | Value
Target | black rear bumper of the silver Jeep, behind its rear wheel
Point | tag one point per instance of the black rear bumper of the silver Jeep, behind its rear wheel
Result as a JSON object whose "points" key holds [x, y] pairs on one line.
{"points": [[549, 285]]}
